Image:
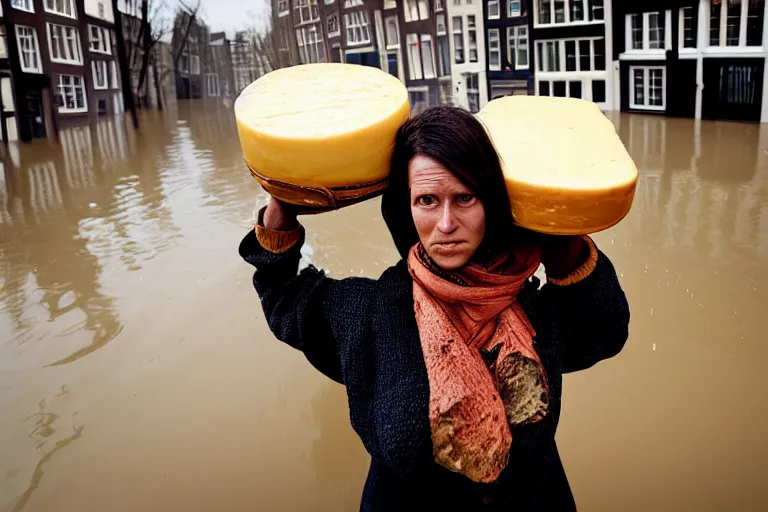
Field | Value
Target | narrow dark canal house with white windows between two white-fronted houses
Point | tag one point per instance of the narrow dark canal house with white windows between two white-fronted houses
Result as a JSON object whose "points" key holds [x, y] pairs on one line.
{"points": [[509, 56]]}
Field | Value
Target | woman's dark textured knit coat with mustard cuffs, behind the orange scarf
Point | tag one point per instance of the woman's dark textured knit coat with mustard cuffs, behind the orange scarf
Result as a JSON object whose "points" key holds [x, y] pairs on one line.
{"points": [[362, 333]]}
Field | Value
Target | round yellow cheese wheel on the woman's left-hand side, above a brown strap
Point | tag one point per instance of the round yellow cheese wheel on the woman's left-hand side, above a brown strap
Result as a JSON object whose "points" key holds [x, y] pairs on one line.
{"points": [[322, 125]]}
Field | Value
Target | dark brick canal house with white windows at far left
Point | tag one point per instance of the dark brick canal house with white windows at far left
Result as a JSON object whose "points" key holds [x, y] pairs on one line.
{"points": [[58, 65]]}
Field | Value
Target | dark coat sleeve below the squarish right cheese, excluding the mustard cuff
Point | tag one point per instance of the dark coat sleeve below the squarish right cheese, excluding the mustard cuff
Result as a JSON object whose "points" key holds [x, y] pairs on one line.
{"points": [[592, 316]]}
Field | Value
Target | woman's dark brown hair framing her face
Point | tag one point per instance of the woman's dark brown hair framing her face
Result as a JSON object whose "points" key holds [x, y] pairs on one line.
{"points": [[457, 140]]}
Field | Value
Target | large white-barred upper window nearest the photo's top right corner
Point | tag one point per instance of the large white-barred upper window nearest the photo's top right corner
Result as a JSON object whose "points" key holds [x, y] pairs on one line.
{"points": [[736, 22]]}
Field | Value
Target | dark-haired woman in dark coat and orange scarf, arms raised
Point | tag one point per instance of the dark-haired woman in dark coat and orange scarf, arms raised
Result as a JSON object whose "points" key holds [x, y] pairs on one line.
{"points": [[453, 358]]}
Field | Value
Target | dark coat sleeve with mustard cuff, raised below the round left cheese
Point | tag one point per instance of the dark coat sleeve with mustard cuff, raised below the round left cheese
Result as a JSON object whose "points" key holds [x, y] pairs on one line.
{"points": [[307, 310]]}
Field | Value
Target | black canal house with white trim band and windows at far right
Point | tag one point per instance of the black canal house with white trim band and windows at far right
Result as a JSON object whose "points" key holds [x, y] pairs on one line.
{"points": [[692, 58]]}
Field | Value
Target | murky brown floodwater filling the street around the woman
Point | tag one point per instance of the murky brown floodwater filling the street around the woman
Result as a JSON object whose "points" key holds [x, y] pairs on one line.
{"points": [[137, 372]]}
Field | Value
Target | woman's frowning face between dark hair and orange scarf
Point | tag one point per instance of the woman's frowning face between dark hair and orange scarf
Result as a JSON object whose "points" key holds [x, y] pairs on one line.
{"points": [[449, 218]]}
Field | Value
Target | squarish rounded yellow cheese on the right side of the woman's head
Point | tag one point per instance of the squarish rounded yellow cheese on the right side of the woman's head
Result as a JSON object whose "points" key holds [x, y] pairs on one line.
{"points": [[566, 169]]}
